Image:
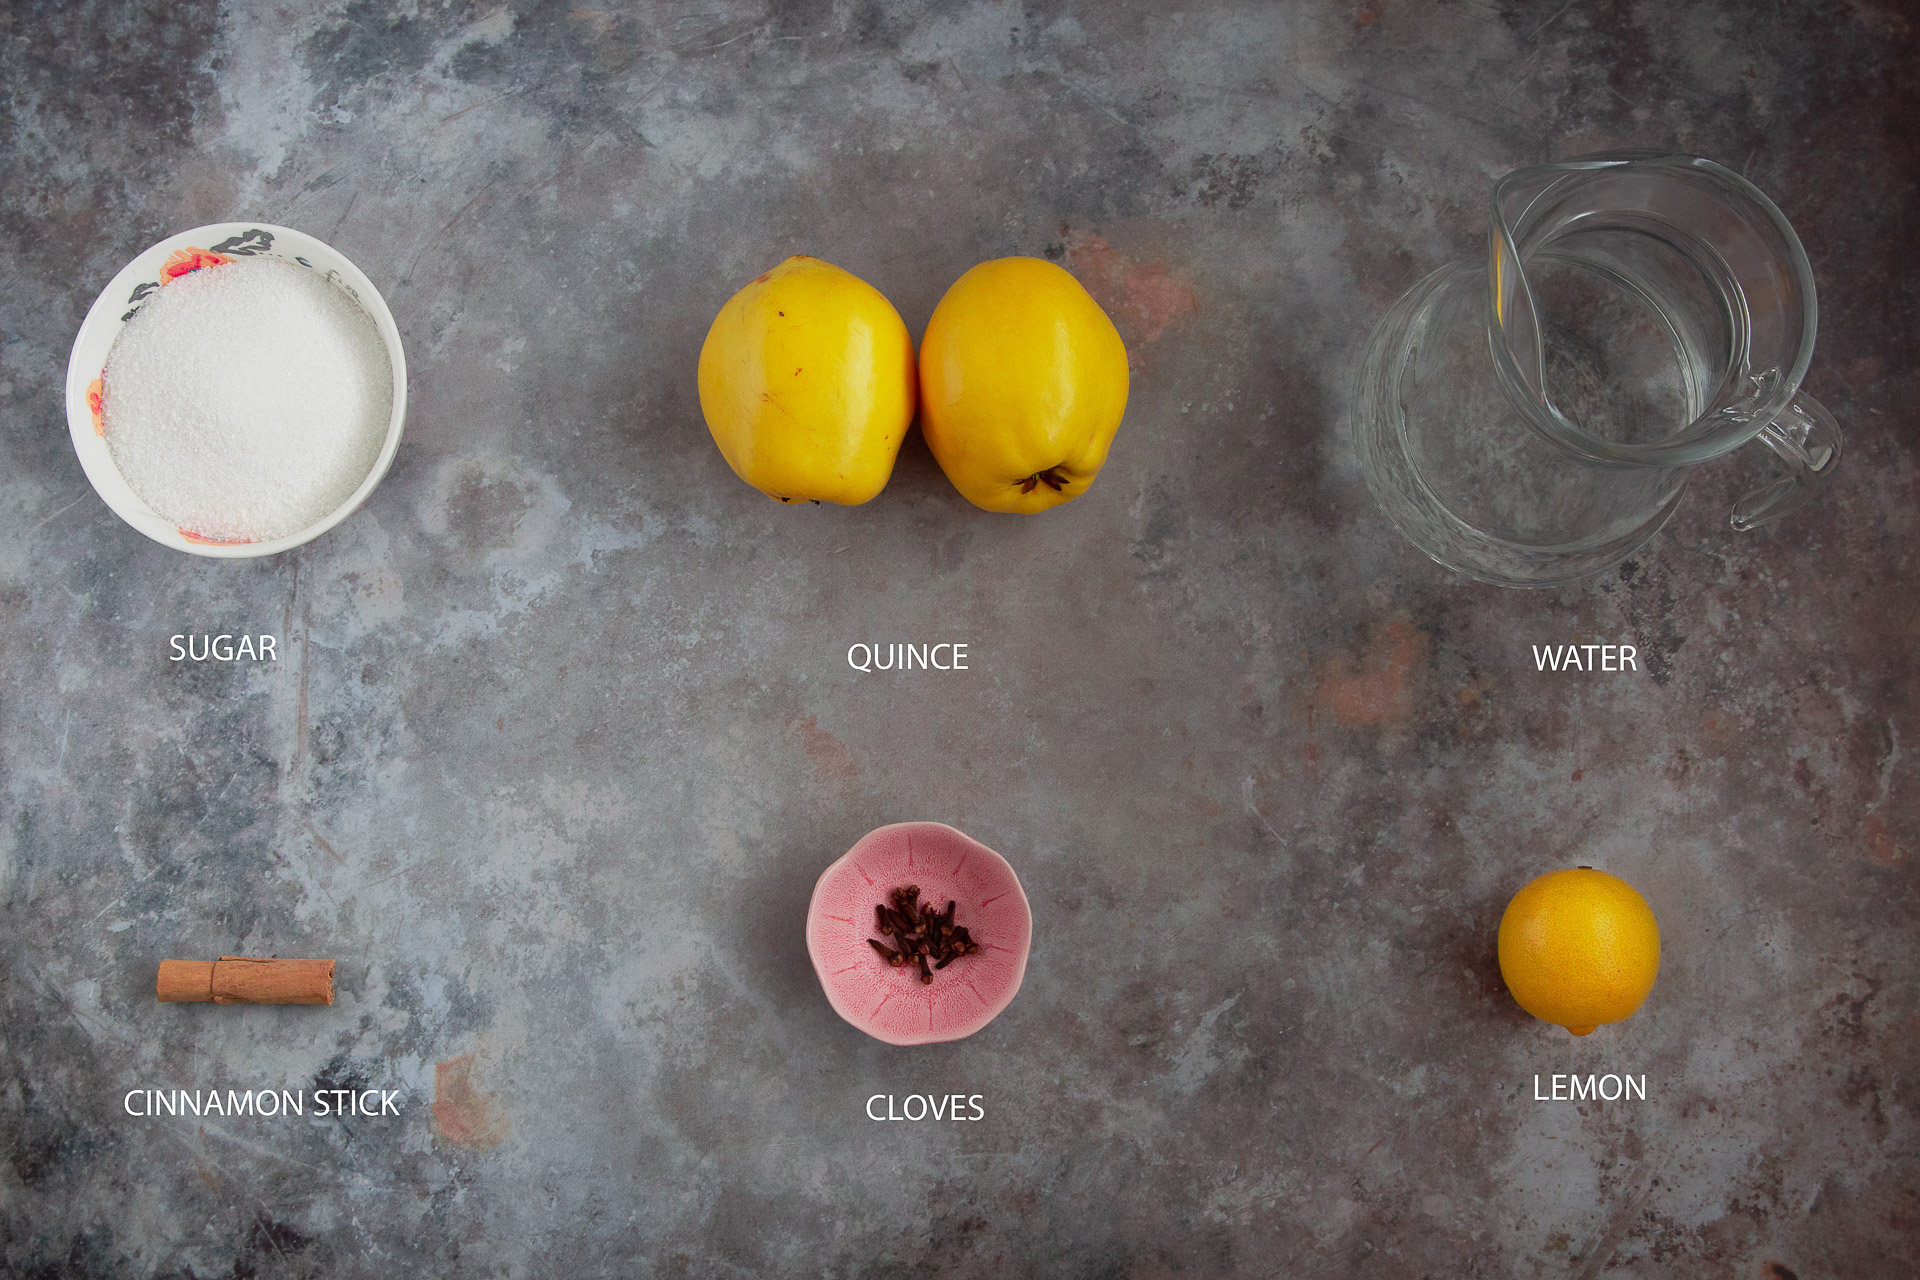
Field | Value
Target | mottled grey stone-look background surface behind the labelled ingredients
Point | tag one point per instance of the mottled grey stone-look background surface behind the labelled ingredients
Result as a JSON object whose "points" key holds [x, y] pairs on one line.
{"points": [[564, 728]]}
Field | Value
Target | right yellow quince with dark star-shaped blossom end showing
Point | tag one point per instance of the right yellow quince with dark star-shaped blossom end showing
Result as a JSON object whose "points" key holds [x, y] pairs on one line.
{"points": [[1022, 385]]}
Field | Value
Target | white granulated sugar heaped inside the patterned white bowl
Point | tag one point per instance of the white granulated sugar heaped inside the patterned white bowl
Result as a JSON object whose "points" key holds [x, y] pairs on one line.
{"points": [[249, 400]]}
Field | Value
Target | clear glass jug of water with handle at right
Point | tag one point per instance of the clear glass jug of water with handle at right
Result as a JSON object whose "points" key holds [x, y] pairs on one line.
{"points": [[1535, 421]]}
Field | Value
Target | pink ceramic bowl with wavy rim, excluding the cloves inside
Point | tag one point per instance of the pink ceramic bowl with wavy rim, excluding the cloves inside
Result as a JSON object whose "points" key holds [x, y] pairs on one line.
{"points": [[894, 1005]]}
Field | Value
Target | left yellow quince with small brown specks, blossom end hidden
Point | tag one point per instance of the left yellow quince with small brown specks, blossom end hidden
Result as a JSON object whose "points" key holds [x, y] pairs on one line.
{"points": [[807, 385]]}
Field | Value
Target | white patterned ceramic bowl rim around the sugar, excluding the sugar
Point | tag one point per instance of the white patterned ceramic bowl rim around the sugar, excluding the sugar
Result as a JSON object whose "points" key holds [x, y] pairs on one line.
{"points": [[118, 302]]}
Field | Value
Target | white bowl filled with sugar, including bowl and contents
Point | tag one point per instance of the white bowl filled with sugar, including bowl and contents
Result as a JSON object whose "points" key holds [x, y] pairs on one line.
{"points": [[237, 391]]}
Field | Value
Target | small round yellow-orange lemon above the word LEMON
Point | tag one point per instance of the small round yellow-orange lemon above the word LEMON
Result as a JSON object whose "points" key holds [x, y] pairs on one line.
{"points": [[1579, 949]]}
